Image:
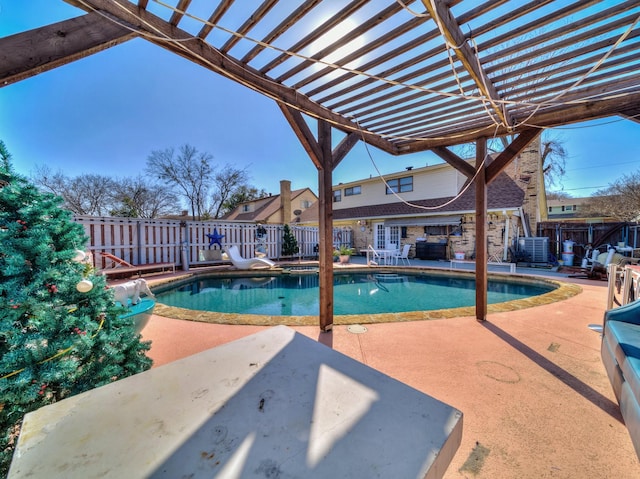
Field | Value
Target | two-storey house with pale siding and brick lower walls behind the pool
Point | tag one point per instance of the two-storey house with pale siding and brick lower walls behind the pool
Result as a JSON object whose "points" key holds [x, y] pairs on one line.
{"points": [[431, 218]]}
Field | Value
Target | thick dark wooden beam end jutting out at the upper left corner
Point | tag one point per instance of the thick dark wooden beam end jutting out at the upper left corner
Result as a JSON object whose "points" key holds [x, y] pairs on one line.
{"points": [[29, 53]]}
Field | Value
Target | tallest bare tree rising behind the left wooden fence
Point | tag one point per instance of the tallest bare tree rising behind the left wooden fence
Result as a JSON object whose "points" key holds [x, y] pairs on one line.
{"points": [[188, 171]]}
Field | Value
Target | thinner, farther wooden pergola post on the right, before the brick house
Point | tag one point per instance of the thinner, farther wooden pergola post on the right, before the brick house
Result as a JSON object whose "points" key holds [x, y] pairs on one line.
{"points": [[481, 230]]}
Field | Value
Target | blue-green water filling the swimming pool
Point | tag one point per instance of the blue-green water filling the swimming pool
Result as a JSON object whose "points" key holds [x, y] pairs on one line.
{"points": [[359, 293]]}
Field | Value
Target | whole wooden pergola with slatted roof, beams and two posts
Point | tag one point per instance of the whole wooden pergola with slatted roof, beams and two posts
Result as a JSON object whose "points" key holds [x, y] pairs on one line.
{"points": [[402, 75]]}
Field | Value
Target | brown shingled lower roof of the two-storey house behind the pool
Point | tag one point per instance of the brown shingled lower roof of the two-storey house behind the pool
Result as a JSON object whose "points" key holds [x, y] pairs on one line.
{"points": [[502, 193]]}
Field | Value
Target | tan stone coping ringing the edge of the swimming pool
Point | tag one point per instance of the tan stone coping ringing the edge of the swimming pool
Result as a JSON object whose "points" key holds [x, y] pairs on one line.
{"points": [[563, 291]]}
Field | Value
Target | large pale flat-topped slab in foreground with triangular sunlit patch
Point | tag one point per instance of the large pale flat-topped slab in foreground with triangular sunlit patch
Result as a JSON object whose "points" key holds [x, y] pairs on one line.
{"points": [[274, 404]]}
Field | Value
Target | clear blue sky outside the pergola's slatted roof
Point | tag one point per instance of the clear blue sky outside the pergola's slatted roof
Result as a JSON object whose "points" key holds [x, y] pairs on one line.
{"points": [[106, 113]]}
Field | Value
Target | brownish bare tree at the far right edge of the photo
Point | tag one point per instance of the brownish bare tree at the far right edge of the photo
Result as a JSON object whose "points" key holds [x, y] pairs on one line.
{"points": [[620, 200]]}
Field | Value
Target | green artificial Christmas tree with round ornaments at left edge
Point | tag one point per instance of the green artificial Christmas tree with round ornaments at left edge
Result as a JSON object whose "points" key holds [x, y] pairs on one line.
{"points": [[60, 331]]}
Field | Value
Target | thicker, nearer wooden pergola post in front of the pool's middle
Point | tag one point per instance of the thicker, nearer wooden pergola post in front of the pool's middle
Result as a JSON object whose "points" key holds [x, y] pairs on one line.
{"points": [[325, 212]]}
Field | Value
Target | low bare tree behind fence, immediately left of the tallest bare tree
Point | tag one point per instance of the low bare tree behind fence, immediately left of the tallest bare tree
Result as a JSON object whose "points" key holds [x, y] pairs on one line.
{"points": [[137, 198]]}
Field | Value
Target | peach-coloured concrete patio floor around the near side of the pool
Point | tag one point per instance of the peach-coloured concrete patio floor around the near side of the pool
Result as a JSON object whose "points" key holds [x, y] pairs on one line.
{"points": [[531, 384]]}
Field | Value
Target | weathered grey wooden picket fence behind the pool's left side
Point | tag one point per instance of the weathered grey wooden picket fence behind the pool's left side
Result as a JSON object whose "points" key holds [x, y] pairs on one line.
{"points": [[142, 241]]}
